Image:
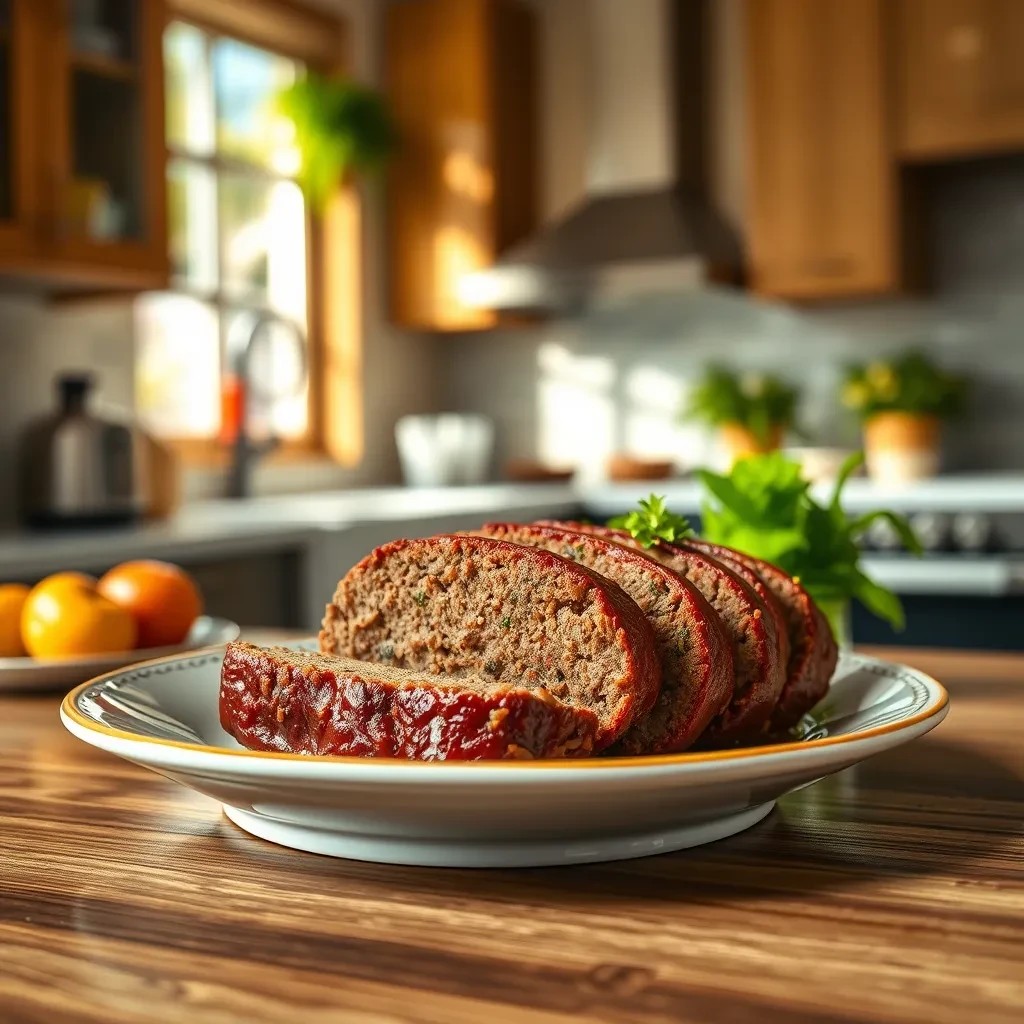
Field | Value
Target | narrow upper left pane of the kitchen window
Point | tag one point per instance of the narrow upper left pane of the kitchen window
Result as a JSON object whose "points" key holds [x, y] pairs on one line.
{"points": [[190, 93]]}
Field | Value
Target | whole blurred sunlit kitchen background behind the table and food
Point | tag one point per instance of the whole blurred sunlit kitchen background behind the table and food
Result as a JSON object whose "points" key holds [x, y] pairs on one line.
{"points": [[280, 281]]}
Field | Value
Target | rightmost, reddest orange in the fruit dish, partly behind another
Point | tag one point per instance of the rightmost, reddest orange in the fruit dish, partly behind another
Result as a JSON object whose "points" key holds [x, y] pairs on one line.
{"points": [[163, 600]]}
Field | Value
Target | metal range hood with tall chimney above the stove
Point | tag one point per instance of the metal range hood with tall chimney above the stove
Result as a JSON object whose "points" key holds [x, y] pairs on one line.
{"points": [[646, 217]]}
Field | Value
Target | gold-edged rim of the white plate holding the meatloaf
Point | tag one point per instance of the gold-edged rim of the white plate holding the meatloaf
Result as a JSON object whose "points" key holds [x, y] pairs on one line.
{"points": [[937, 707]]}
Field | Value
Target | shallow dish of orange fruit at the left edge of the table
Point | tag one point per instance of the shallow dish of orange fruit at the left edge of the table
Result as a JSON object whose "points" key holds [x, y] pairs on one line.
{"points": [[70, 626]]}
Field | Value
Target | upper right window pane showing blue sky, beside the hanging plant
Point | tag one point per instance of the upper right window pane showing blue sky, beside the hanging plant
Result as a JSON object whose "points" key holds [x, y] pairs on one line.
{"points": [[246, 80]]}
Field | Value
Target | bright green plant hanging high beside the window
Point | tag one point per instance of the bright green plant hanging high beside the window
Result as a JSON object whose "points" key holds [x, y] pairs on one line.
{"points": [[342, 129]]}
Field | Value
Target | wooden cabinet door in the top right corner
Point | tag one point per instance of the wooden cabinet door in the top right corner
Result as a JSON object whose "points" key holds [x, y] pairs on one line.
{"points": [[960, 77]]}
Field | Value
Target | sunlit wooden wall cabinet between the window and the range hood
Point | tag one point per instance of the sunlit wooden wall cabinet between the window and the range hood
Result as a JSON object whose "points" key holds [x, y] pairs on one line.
{"points": [[461, 79]]}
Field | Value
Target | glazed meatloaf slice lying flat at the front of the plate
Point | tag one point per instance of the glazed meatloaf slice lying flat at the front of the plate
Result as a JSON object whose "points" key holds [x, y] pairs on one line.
{"points": [[275, 699]]}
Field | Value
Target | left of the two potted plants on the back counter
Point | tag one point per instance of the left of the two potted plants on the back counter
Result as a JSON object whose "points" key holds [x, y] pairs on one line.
{"points": [[752, 411]]}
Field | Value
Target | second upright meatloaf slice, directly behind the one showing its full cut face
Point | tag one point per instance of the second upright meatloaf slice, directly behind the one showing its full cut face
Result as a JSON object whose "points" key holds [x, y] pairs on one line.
{"points": [[697, 662]]}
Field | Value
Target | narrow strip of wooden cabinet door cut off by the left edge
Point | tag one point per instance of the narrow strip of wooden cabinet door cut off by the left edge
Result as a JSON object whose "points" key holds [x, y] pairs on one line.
{"points": [[19, 174]]}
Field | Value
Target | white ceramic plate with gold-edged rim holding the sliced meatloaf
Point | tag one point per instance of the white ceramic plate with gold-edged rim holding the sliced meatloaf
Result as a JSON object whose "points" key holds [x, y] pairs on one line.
{"points": [[489, 815]]}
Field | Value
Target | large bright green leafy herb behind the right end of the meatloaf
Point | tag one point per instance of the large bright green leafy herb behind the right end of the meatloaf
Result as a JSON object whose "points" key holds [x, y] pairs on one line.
{"points": [[764, 507]]}
